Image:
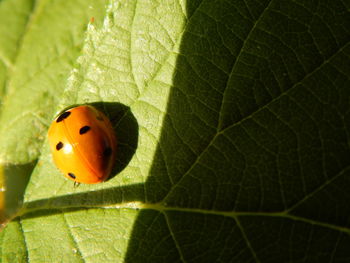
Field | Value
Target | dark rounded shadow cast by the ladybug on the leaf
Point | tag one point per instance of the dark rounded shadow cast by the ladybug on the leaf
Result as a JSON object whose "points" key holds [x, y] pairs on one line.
{"points": [[126, 130]]}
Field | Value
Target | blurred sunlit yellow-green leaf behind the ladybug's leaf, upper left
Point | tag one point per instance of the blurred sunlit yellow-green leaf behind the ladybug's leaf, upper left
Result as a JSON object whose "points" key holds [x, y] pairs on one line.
{"points": [[39, 73]]}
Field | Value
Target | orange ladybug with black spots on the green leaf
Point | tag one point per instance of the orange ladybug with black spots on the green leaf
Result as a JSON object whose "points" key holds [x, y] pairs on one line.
{"points": [[83, 144]]}
